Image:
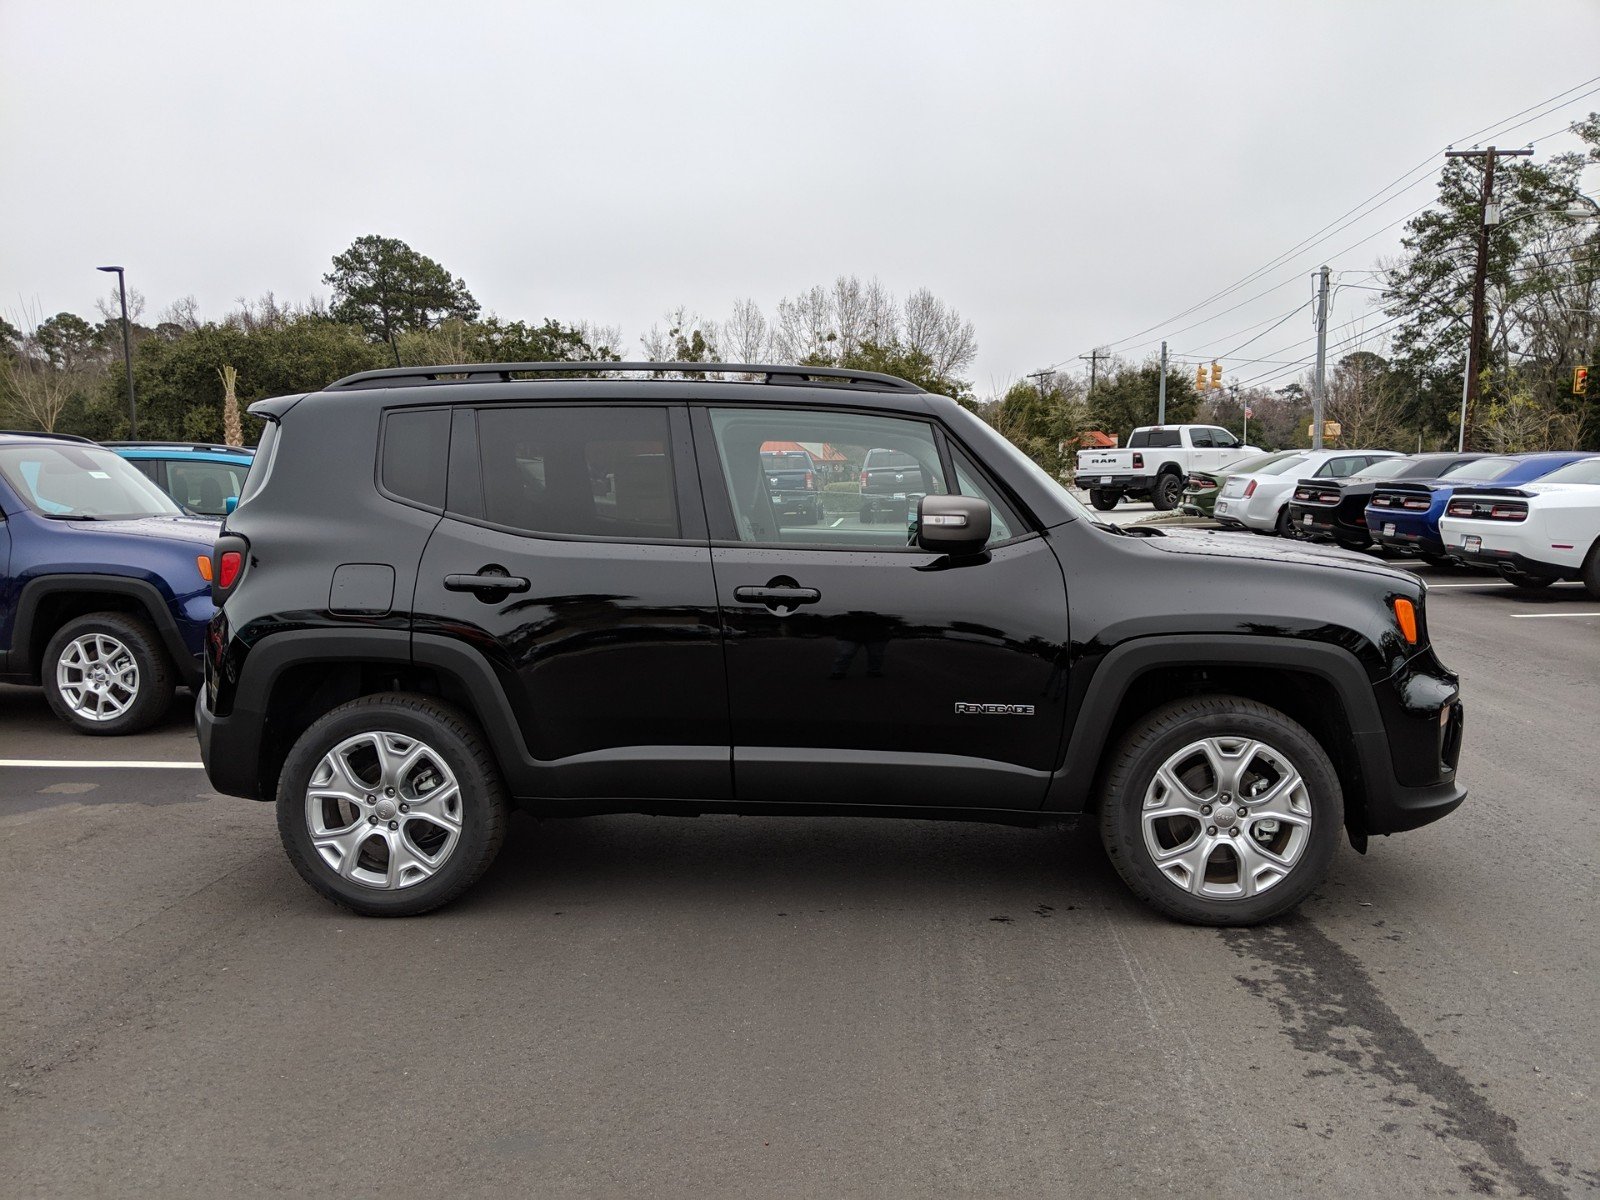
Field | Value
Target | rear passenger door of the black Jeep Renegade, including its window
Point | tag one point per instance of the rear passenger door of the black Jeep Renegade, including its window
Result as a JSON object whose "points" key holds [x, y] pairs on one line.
{"points": [[606, 636]]}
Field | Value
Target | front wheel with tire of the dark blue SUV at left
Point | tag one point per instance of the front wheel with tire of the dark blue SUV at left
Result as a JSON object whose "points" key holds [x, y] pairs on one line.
{"points": [[106, 674]]}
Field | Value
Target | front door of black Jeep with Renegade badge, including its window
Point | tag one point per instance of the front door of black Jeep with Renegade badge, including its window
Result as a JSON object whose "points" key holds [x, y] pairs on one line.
{"points": [[866, 671]]}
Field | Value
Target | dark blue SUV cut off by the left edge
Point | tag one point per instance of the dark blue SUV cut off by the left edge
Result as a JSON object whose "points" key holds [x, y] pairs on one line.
{"points": [[103, 596]]}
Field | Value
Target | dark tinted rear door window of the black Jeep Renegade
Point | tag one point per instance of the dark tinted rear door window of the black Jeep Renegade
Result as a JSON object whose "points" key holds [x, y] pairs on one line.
{"points": [[578, 473]]}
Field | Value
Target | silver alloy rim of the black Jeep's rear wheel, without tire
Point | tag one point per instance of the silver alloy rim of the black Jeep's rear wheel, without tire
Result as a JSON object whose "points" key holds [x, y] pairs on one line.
{"points": [[385, 810]]}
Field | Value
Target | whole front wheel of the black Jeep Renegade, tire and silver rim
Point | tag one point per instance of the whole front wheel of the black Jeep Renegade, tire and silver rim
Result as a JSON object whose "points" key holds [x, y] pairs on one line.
{"points": [[1218, 810]]}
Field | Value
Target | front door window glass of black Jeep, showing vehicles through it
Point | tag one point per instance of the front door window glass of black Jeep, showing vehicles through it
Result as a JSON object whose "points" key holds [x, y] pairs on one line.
{"points": [[894, 463]]}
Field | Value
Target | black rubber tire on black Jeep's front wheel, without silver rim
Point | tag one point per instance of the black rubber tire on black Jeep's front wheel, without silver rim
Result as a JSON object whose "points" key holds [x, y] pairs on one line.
{"points": [[1167, 732]]}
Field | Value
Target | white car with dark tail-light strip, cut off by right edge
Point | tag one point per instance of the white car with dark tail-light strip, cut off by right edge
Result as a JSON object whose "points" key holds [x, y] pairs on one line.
{"points": [[1534, 534]]}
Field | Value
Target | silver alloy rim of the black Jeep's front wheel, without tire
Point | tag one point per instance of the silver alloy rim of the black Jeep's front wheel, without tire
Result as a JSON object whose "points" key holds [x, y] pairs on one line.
{"points": [[1226, 818]]}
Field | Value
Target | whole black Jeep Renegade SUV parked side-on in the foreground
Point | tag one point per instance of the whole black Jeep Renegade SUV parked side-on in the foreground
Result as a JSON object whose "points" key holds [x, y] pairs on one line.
{"points": [[575, 596]]}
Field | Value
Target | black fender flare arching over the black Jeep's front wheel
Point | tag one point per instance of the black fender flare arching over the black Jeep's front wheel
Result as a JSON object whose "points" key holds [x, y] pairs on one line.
{"points": [[1071, 788]]}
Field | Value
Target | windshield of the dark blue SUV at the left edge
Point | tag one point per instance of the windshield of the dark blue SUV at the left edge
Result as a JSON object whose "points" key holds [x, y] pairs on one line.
{"points": [[74, 482]]}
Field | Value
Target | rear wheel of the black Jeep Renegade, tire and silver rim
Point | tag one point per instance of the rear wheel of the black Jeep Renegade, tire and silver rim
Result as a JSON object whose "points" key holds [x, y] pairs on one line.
{"points": [[391, 806]]}
